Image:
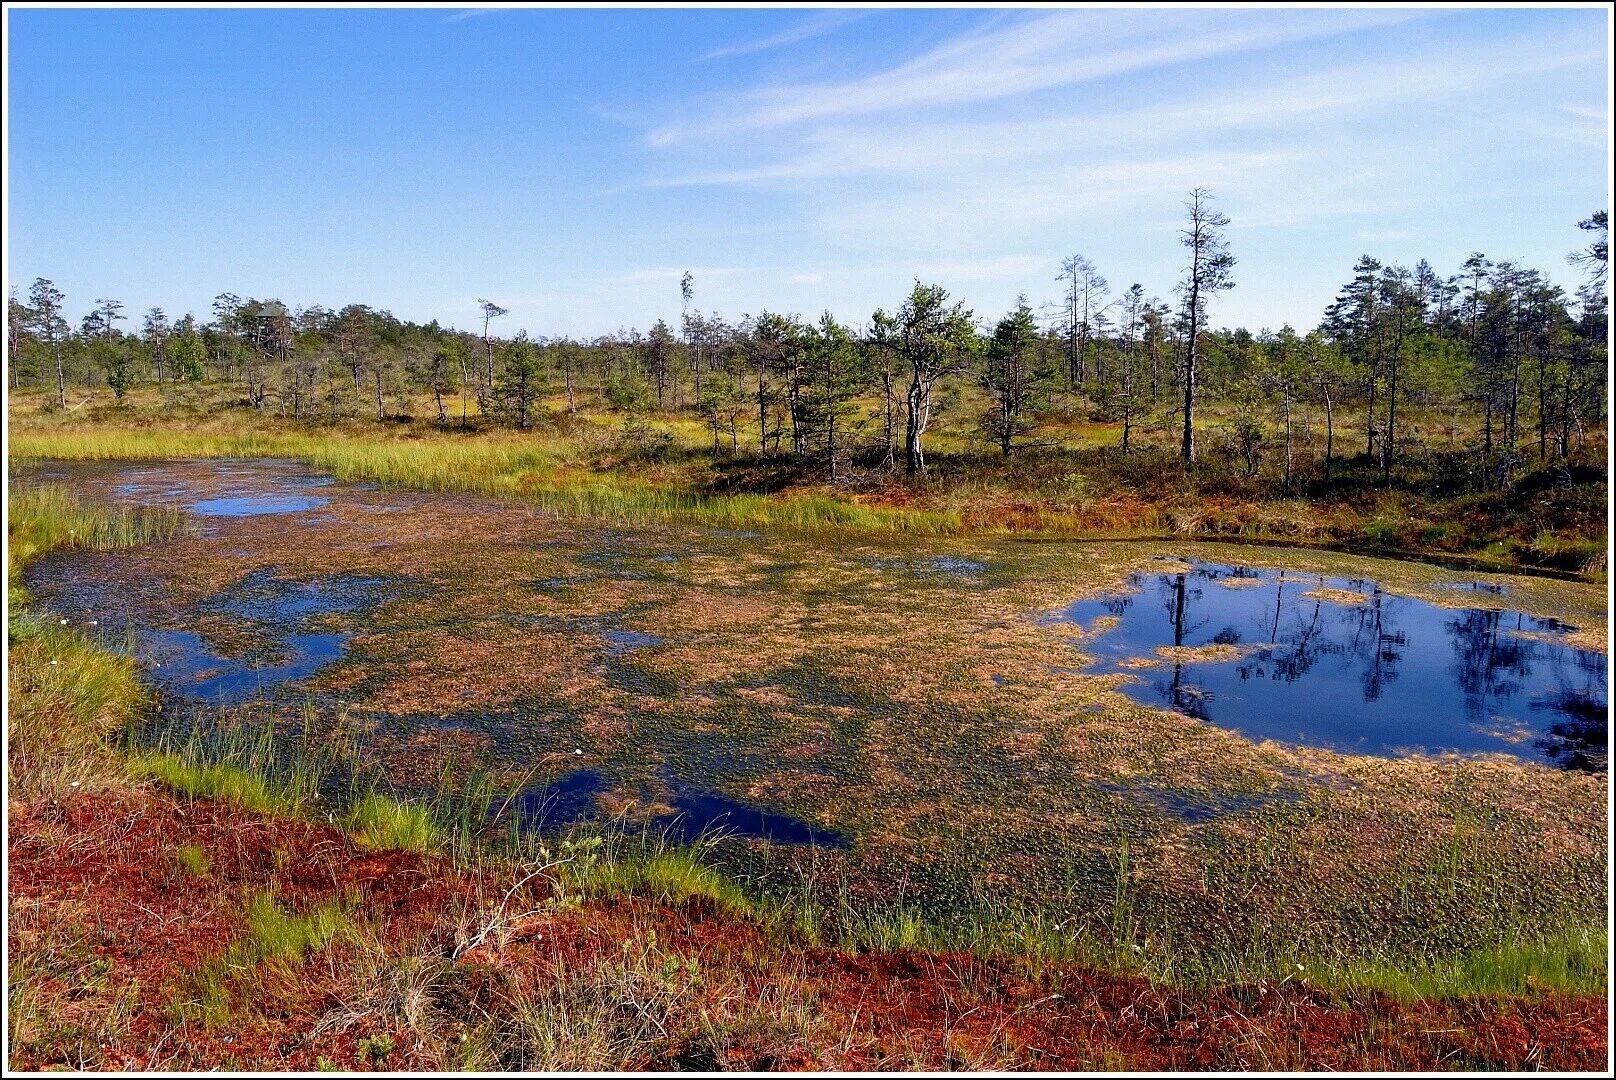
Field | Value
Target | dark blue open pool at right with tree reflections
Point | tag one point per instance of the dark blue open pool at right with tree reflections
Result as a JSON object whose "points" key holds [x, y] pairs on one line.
{"points": [[1381, 675]]}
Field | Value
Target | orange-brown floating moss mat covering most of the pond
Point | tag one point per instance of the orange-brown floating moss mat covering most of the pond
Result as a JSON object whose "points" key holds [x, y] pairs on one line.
{"points": [[935, 717]]}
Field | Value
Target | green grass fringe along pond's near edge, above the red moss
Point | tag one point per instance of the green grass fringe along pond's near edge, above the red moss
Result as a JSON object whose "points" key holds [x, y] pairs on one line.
{"points": [[65, 712]]}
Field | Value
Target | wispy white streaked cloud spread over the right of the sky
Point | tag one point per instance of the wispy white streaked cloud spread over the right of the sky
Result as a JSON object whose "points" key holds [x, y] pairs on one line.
{"points": [[1323, 132]]}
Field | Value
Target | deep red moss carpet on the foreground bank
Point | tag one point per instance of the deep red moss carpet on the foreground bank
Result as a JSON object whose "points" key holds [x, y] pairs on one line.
{"points": [[109, 863]]}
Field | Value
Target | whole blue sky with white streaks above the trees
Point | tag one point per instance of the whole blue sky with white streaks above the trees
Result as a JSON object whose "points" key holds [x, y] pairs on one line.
{"points": [[573, 164]]}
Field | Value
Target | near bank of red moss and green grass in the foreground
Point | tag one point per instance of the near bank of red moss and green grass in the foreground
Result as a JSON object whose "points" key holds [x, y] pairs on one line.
{"points": [[507, 950]]}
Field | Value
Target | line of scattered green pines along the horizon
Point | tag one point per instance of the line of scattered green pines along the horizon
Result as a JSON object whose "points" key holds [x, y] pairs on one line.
{"points": [[1496, 342]]}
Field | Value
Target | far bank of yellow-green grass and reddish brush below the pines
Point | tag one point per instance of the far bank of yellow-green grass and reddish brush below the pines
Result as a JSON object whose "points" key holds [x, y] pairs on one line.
{"points": [[589, 466]]}
